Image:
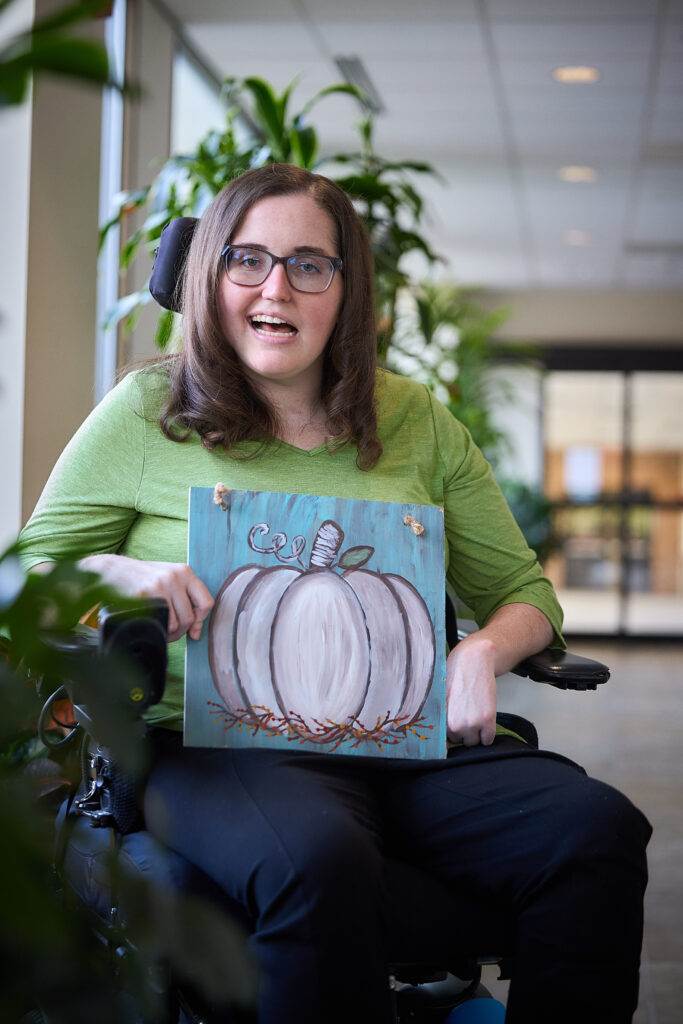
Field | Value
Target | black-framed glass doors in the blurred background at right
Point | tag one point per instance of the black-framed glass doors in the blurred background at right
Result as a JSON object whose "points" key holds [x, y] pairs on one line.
{"points": [[614, 471]]}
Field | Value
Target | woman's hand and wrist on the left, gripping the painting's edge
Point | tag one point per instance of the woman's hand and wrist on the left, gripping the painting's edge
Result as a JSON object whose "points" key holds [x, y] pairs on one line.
{"points": [[189, 601]]}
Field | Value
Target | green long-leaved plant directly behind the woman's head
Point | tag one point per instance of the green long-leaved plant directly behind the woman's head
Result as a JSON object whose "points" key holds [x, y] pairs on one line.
{"points": [[261, 129]]}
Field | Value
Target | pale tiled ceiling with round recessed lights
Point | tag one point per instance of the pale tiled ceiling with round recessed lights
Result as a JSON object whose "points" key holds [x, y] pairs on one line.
{"points": [[493, 121]]}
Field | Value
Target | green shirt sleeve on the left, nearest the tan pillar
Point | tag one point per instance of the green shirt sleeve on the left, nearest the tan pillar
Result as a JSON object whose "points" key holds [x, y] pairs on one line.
{"points": [[90, 502]]}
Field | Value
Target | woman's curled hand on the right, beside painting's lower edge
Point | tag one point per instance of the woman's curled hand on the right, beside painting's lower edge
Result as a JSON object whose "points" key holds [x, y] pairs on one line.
{"points": [[472, 692]]}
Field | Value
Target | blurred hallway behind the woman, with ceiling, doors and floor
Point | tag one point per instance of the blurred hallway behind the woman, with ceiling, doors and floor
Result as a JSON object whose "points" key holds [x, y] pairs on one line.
{"points": [[542, 300]]}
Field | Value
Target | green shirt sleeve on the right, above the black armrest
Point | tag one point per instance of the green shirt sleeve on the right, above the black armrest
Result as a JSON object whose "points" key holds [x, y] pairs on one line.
{"points": [[490, 563]]}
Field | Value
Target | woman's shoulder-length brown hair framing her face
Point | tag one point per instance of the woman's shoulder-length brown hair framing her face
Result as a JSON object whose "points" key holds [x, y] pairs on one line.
{"points": [[210, 392]]}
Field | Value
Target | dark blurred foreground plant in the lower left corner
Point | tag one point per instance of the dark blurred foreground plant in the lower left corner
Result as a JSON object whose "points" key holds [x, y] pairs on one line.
{"points": [[55, 970]]}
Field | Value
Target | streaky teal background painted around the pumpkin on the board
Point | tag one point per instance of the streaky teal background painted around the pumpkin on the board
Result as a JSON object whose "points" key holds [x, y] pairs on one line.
{"points": [[219, 545]]}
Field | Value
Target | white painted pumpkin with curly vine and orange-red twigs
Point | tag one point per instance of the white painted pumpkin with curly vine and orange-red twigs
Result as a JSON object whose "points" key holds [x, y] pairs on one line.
{"points": [[326, 652]]}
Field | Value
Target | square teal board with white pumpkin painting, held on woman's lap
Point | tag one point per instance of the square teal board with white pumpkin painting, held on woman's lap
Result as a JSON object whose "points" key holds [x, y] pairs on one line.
{"points": [[328, 629]]}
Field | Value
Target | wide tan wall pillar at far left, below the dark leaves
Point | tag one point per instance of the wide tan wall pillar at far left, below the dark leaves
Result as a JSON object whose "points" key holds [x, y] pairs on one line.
{"points": [[62, 271]]}
